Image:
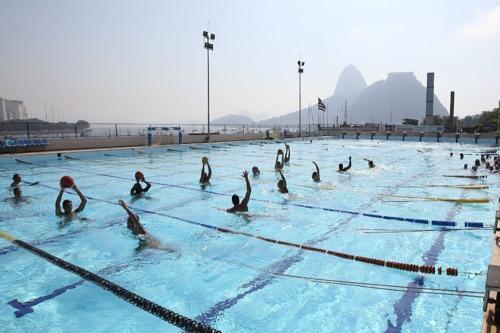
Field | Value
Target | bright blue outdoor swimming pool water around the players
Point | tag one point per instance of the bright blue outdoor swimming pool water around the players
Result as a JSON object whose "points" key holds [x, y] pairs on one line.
{"points": [[237, 283]]}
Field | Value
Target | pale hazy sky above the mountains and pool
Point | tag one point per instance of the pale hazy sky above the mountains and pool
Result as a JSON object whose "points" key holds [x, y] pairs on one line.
{"points": [[144, 61]]}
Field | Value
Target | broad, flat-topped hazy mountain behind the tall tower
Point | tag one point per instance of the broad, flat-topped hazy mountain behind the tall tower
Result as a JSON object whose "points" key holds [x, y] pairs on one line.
{"points": [[400, 95]]}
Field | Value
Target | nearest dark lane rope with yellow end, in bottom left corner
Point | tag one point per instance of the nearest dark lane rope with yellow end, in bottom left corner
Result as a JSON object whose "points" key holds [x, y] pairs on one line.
{"points": [[140, 302]]}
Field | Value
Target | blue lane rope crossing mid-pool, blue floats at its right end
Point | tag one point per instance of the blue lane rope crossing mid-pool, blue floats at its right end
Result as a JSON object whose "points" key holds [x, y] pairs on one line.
{"points": [[385, 217]]}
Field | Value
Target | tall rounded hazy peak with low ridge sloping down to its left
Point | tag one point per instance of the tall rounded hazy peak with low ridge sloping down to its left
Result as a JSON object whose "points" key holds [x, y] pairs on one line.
{"points": [[349, 85]]}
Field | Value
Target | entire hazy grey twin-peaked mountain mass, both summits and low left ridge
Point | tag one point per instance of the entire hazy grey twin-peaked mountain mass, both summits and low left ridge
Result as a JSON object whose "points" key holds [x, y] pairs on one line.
{"points": [[400, 94]]}
